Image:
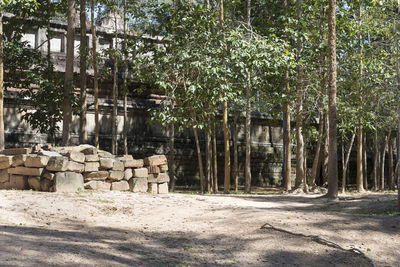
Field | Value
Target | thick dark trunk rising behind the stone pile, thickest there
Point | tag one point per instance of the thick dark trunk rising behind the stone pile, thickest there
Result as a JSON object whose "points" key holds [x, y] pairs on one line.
{"points": [[69, 74]]}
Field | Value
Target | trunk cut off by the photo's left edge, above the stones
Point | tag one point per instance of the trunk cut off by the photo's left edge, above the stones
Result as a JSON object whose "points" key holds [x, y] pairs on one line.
{"points": [[2, 139]]}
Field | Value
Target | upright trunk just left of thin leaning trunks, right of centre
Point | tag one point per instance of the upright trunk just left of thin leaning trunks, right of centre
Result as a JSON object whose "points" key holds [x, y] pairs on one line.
{"points": [[300, 171]]}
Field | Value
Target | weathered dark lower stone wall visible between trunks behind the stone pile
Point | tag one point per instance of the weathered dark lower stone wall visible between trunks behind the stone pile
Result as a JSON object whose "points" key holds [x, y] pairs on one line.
{"points": [[147, 138]]}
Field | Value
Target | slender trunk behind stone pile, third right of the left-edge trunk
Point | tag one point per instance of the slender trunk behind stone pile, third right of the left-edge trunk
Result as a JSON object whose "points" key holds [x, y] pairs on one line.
{"points": [[95, 75]]}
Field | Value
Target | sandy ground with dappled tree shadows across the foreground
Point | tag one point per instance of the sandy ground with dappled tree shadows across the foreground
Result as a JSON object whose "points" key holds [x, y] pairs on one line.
{"points": [[126, 229]]}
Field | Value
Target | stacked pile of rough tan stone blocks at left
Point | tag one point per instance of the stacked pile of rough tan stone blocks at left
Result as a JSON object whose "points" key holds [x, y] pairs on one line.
{"points": [[70, 169]]}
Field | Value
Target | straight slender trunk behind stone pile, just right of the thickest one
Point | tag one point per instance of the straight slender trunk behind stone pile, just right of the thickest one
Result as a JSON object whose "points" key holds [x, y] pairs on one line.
{"points": [[83, 59]]}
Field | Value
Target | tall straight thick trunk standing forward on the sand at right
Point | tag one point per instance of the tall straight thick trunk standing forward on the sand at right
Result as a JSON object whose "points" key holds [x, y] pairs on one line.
{"points": [[332, 162]]}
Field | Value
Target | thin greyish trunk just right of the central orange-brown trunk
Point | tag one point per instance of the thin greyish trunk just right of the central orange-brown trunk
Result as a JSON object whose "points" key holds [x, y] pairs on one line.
{"points": [[247, 129]]}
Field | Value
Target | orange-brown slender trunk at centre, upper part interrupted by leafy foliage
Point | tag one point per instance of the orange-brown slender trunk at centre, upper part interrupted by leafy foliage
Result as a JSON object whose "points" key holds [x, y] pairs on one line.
{"points": [[227, 182]]}
